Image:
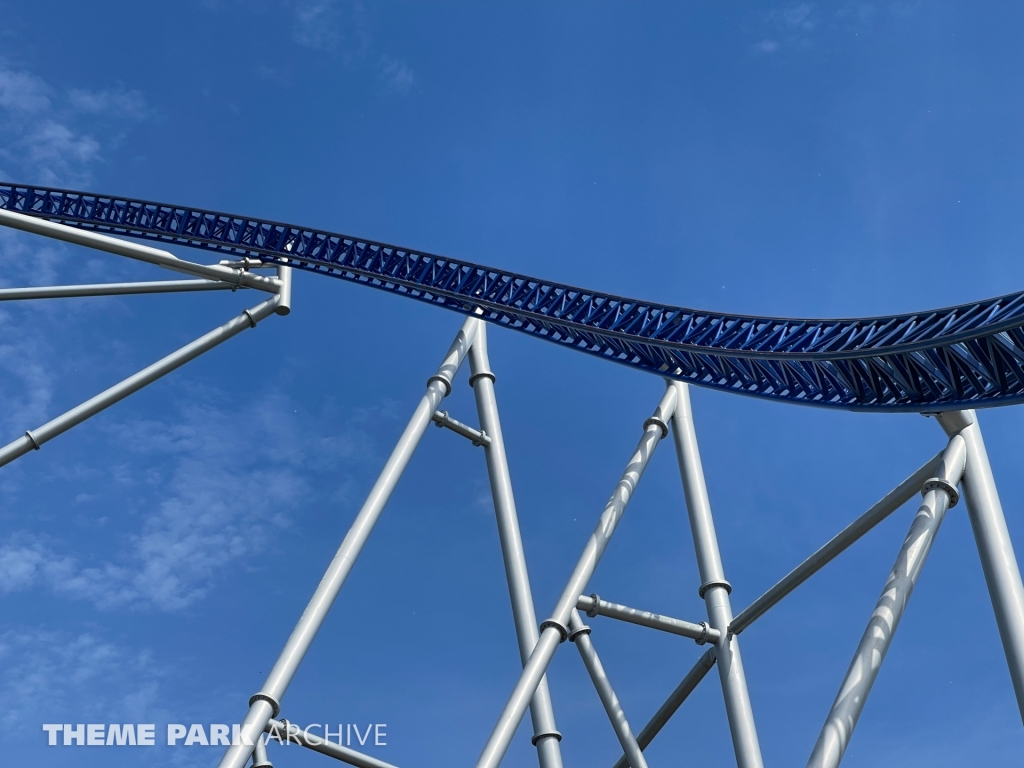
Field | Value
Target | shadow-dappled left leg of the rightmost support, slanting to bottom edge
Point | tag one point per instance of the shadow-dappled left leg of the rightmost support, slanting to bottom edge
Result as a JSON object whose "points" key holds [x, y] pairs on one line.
{"points": [[940, 494]]}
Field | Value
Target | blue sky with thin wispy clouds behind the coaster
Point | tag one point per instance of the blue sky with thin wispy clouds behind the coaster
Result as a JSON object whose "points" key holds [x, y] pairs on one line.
{"points": [[814, 160]]}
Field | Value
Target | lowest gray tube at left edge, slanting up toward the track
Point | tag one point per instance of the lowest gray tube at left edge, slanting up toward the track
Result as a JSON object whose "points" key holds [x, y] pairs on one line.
{"points": [[34, 440]]}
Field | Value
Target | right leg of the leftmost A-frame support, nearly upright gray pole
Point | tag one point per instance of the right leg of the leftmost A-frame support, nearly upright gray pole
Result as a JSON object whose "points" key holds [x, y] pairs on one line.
{"points": [[546, 736]]}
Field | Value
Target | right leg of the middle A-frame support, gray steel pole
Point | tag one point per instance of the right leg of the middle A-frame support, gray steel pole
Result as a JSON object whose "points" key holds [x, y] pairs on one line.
{"points": [[714, 587]]}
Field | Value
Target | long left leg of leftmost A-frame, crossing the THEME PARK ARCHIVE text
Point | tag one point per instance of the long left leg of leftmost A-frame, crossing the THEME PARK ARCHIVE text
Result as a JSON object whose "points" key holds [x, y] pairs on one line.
{"points": [[267, 704]]}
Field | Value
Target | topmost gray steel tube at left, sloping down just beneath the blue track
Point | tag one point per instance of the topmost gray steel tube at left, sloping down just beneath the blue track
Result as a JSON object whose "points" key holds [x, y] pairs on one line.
{"points": [[135, 251]]}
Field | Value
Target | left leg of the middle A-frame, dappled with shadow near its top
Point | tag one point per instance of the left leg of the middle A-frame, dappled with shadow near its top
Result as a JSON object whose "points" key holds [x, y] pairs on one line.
{"points": [[554, 630]]}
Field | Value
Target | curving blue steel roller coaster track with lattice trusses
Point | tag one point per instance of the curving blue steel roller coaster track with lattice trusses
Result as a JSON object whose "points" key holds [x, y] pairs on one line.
{"points": [[964, 357]]}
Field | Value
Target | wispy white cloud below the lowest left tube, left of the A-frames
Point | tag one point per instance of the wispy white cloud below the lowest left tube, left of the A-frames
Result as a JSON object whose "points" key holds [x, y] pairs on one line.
{"points": [[220, 489]]}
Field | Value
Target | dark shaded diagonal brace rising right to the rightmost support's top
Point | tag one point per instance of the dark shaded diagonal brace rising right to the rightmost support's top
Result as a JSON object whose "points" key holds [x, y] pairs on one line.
{"points": [[839, 544]]}
